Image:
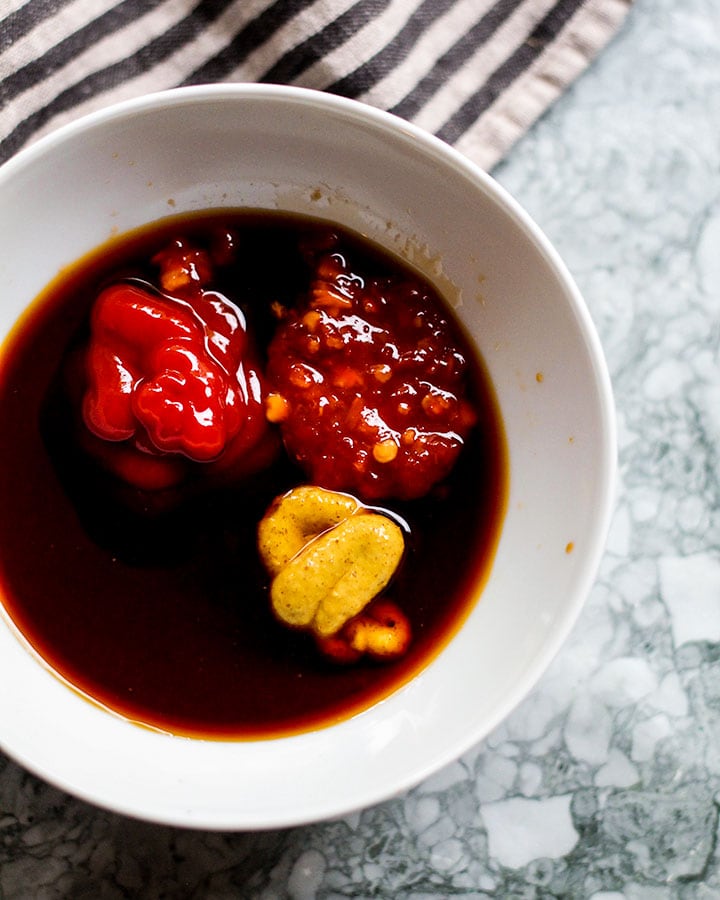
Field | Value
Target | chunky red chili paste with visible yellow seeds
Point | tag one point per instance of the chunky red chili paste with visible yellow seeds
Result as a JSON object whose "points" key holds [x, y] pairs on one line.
{"points": [[368, 381]]}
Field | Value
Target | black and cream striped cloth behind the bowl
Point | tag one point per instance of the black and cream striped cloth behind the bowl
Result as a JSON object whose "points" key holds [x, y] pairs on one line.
{"points": [[477, 73]]}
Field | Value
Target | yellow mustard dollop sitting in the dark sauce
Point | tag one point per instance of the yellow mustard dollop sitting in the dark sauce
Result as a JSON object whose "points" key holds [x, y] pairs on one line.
{"points": [[328, 556]]}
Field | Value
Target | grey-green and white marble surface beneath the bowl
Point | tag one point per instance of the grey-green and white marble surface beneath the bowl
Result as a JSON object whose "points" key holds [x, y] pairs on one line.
{"points": [[605, 783]]}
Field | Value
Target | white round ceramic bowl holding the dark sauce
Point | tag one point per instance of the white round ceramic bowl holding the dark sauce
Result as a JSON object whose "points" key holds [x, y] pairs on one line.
{"points": [[290, 149]]}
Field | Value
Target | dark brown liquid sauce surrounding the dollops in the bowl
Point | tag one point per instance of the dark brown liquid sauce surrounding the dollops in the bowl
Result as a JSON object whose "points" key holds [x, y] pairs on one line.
{"points": [[164, 617]]}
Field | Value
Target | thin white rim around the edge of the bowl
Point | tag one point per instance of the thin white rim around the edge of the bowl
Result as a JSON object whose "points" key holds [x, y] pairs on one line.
{"points": [[338, 805]]}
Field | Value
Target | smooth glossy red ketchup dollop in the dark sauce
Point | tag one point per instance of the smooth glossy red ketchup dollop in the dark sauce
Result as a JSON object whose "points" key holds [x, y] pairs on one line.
{"points": [[171, 375]]}
